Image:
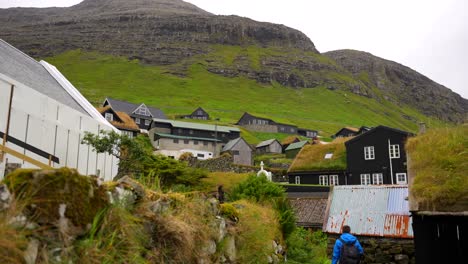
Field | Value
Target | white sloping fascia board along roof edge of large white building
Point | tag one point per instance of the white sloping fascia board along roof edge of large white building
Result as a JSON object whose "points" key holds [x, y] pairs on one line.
{"points": [[76, 95]]}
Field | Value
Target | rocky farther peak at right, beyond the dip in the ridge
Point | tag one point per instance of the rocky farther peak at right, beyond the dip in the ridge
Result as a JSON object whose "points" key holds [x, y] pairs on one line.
{"points": [[403, 85]]}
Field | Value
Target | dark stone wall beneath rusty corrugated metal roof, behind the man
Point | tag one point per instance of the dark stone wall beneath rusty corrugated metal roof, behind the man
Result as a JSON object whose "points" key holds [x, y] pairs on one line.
{"points": [[382, 250]]}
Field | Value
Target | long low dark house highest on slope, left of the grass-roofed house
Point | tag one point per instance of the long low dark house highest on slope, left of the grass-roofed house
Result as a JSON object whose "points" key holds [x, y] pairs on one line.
{"points": [[261, 124]]}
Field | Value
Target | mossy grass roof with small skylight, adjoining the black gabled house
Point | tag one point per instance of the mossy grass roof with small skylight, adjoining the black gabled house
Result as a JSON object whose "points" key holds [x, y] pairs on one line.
{"points": [[312, 157]]}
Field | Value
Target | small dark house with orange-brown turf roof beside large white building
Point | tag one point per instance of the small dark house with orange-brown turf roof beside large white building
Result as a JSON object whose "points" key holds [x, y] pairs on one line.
{"points": [[120, 120]]}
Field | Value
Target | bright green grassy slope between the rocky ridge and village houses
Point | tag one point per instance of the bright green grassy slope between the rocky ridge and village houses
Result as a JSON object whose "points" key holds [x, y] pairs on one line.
{"points": [[98, 76]]}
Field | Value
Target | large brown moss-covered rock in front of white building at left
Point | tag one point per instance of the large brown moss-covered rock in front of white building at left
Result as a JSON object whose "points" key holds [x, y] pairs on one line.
{"points": [[43, 191]]}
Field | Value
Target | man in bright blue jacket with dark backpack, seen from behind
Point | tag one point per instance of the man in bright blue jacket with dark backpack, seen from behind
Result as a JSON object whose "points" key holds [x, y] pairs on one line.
{"points": [[347, 249]]}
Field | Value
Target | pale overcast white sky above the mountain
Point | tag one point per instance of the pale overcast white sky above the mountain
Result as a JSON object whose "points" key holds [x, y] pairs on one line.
{"points": [[430, 36]]}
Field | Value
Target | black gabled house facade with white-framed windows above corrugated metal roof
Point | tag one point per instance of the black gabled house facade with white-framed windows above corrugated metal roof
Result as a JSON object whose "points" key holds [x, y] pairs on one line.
{"points": [[377, 156]]}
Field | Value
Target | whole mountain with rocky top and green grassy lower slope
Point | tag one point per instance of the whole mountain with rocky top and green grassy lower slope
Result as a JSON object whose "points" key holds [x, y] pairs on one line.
{"points": [[173, 55]]}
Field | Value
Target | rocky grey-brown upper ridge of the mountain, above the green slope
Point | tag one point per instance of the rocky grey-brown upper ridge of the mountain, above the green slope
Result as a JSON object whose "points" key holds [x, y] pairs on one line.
{"points": [[178, 34]]}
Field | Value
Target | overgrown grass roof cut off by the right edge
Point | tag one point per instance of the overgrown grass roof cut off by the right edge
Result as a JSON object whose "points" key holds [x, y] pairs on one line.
{"points": [[438, 167]]}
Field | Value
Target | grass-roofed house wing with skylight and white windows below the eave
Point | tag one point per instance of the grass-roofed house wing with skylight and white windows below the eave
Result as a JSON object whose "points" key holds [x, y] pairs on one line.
{"points": [[321, 164]]}
